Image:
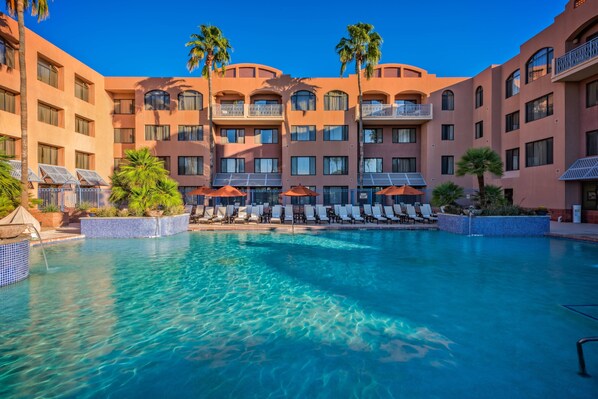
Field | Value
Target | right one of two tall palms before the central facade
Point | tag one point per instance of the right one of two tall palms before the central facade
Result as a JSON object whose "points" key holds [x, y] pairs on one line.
{"points": [[363, 47]]}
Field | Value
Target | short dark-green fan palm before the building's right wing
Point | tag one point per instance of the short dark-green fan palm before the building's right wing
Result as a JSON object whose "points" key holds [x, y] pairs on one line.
{"points": [[477, 161]]}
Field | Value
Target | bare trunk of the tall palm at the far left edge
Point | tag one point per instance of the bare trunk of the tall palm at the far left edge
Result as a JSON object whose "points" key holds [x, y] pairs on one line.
{"points": [[23, 102]]}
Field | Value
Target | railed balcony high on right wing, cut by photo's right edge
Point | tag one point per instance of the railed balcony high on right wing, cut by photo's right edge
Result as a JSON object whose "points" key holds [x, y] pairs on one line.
{"points": [[578, 64]]}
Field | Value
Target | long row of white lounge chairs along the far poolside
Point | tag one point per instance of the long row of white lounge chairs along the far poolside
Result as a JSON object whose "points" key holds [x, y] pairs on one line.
{"points": [[318, 214]]}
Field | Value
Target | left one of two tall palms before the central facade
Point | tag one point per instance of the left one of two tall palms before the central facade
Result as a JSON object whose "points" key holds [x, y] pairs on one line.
{"points": [[211, 46]]}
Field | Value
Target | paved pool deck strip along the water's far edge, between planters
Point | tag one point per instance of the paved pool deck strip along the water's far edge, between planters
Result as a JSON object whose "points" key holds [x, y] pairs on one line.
{"points": [[573, 231]]}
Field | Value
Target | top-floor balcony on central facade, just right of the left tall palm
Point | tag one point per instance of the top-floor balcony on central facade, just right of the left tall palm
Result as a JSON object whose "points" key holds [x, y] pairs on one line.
{"points": [[247, 114]]}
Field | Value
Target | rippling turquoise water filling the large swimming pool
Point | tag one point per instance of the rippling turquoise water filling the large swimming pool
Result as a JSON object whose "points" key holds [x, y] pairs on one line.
{"points": [[360, 314]]}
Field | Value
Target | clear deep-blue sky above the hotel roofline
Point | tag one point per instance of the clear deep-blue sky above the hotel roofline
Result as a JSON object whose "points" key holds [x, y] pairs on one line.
{"points": [[146, 38]]}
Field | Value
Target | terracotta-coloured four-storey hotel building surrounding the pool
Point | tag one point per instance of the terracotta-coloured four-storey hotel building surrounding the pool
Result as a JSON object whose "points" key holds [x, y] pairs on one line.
{"points": [[538, 110]]}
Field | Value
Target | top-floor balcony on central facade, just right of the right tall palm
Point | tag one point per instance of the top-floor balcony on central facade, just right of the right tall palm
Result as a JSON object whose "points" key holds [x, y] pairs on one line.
{"points": [[401, 114]]}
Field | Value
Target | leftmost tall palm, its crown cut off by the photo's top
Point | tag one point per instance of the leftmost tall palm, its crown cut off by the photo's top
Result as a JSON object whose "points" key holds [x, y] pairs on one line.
{"points": [[39, 8]]}
